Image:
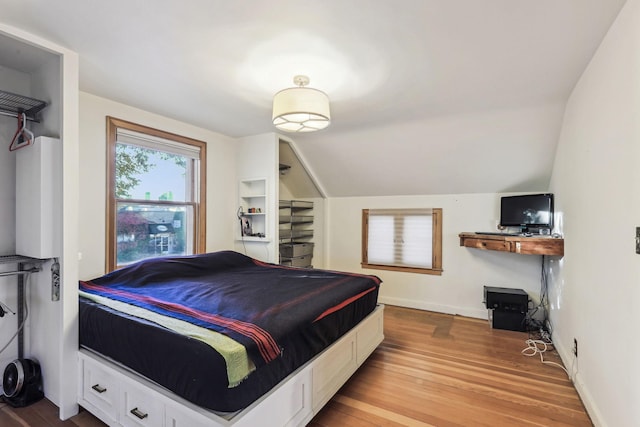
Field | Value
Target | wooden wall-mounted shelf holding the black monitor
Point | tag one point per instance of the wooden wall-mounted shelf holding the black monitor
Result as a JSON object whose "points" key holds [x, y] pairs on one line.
{"points": [[535, 245]]}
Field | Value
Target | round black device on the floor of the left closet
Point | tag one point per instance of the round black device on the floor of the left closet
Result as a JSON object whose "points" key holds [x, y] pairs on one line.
{"points": [[22, 383]]}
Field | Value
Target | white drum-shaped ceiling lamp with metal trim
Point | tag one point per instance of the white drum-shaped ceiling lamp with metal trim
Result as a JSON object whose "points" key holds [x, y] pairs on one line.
{"points": [[301, 109]]}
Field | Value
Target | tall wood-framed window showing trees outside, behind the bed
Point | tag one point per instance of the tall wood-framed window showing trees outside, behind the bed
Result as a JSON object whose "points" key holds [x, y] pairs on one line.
{"points": [[155, 194]]}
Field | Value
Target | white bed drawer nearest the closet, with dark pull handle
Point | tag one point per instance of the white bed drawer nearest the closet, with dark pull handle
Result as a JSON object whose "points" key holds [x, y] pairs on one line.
{"points": [[99, 388]]}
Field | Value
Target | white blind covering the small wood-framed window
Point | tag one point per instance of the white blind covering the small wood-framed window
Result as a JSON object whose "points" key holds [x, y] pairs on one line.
{"points": [[400, 237]]}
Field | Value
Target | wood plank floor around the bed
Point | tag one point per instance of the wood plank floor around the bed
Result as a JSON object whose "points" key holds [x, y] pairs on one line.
{"points": [[431, 370]]}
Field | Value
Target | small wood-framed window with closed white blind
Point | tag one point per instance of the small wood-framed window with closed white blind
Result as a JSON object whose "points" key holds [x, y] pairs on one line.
{"points": [[402, 240]]}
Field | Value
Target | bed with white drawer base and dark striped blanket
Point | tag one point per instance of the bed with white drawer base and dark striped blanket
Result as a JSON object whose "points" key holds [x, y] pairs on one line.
{"points": [[221, 339]]}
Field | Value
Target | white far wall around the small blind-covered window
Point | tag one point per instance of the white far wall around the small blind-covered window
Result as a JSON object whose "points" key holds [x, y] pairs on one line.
{"points": [[459, 290]]}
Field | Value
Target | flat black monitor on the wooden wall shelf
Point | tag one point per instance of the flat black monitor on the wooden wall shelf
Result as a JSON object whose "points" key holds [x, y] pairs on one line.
{"points": [[530, 212]]}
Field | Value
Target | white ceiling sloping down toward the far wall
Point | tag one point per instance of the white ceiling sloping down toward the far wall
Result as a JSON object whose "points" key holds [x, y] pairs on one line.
{"points": [[427, 96]]}
